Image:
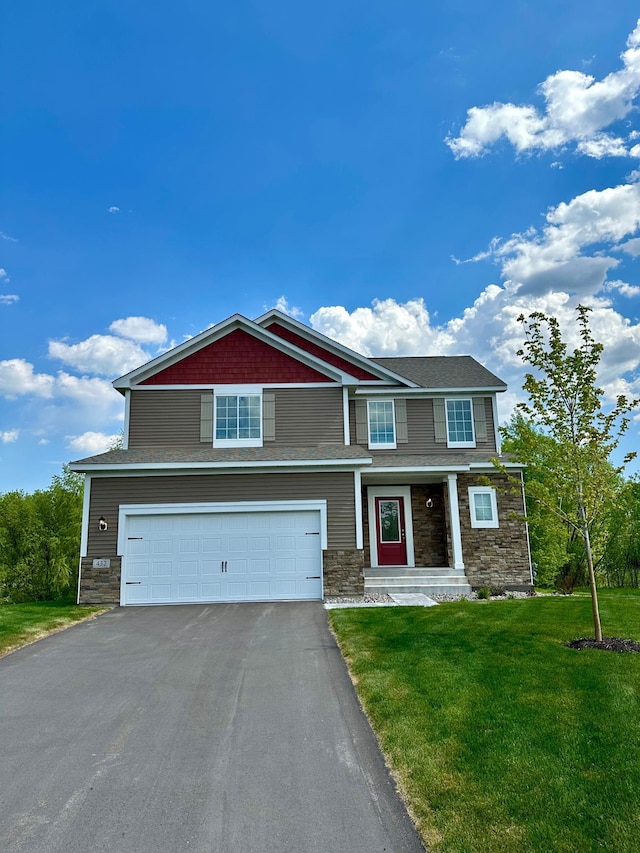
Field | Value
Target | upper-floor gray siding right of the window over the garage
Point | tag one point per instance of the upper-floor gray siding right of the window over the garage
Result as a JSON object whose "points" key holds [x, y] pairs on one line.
{"points": [[309, 416]]}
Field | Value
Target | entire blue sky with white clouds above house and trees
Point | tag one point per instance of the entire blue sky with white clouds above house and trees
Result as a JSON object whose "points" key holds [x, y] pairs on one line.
{"points": [[406, 177]]}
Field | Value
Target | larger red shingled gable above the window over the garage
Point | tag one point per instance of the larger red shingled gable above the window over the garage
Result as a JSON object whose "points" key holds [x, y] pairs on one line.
{"points": [[236, 359]]}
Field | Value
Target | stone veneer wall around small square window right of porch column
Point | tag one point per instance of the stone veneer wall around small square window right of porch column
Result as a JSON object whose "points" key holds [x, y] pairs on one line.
{"points": [[495, 556]]}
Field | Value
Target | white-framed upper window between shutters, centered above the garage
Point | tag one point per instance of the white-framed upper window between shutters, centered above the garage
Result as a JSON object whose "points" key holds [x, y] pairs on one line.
{"points": [[237, 418]]}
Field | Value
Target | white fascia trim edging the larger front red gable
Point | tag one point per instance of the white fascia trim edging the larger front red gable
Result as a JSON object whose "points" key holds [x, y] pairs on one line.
{"points": [[209, 336]]}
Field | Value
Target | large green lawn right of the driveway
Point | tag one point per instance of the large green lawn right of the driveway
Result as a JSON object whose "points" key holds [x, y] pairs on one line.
{"points": [[500, 737]]}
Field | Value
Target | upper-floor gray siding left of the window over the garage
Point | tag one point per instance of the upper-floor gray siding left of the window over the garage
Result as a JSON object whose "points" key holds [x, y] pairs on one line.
{"points": [[164, 418]]}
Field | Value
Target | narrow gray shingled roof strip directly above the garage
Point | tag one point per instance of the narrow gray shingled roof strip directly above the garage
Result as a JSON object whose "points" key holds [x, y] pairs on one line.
{"points": [[227, 455]]}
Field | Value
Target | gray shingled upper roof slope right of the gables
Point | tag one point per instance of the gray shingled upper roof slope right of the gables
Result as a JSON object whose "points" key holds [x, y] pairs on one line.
{"points": [[443, 371]]}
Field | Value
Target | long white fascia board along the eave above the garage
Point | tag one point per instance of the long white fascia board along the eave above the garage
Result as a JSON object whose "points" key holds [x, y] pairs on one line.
{"points": [[230, 467]]}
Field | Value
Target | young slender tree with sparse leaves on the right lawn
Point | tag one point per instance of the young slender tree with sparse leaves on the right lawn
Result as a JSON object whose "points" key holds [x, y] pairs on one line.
{"points": [[565, 401]]}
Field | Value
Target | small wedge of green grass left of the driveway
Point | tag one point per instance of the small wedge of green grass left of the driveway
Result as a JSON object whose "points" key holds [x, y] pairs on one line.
{"points": [[21, 624]]}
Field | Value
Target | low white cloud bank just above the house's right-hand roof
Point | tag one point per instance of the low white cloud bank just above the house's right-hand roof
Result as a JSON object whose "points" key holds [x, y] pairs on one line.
{"points": [[490, 332]]}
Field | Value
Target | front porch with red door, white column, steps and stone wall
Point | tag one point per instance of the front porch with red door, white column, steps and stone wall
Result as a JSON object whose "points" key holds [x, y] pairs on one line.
{"points": [[418, 536]]}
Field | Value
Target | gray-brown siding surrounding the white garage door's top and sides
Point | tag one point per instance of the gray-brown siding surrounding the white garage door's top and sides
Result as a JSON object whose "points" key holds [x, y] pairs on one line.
{"points": [[108, 493]]}
